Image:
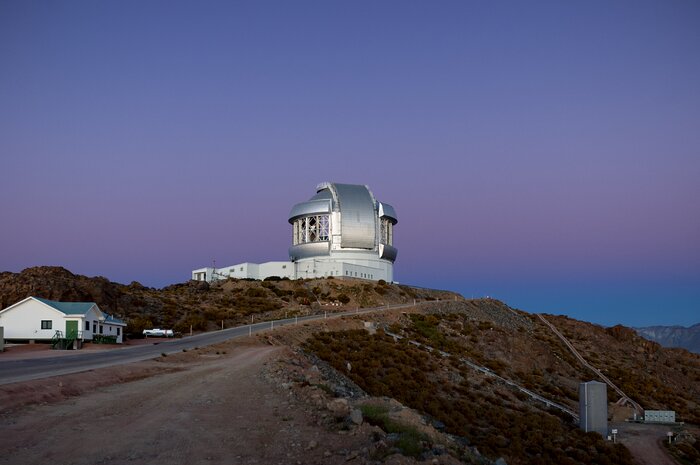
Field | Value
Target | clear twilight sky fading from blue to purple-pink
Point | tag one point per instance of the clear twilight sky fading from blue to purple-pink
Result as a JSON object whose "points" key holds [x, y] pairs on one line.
{"points": [[543, 153]]}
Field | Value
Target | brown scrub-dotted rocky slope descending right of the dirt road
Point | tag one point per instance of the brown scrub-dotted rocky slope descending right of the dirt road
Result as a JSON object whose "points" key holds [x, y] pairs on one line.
{"points": [[482, 408]]}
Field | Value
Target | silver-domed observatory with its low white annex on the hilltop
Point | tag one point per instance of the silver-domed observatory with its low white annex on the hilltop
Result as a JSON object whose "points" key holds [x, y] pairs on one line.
{"points": [[343, 231]]}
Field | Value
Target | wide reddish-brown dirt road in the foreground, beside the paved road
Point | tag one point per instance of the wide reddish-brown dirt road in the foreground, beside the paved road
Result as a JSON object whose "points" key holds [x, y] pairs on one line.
{"points": [[218, 410]]}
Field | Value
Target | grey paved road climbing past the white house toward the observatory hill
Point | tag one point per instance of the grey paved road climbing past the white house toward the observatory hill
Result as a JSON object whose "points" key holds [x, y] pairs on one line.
{"points": [[12, 371]]}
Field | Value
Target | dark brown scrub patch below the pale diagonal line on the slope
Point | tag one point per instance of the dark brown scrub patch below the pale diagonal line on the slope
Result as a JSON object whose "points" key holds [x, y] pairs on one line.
{"points": [[489, 416]]}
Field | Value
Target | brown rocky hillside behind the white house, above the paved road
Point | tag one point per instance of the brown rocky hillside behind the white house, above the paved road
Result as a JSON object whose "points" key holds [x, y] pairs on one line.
{"points": [[201, 306]]}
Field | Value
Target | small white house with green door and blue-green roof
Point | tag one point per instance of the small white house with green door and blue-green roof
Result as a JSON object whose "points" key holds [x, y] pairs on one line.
{"points": [[37, 319]]}
